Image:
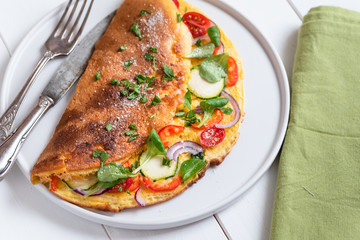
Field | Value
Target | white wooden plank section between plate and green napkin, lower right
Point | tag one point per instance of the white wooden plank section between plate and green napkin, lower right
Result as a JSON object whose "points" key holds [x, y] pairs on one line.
{"points": [[250, 217]]}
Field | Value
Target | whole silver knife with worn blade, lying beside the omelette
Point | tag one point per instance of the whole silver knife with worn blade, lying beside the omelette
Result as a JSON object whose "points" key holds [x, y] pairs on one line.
{"points": [[65, 77]]}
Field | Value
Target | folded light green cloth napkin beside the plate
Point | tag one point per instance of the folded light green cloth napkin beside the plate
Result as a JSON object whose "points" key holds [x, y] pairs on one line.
{"points": [[318, 188]]}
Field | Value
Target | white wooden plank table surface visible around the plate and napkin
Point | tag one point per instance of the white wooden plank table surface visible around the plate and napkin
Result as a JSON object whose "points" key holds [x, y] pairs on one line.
{"points": [[26, 214]]}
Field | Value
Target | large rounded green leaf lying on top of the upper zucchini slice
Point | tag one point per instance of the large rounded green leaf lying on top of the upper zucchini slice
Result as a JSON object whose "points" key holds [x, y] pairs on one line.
{"points": [[214, 68]]}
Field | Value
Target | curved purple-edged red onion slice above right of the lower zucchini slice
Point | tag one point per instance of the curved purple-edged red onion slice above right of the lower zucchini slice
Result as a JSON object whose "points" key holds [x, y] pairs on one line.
{"points": [[183, 146]]}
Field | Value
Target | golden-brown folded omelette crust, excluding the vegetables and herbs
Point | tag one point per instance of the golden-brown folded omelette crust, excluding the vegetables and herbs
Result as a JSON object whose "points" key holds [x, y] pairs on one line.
{"points": [[83, 114]]}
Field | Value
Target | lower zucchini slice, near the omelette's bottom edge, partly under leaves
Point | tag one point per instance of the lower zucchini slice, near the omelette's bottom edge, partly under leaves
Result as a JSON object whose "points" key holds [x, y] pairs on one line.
{"points": [[154, 168]]}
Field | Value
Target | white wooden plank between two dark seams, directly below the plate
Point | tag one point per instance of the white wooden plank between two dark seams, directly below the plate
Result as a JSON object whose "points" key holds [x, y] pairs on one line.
{"points": [[206, 229]]}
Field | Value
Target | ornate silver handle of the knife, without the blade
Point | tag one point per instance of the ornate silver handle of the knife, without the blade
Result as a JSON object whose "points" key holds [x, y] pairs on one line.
{"points": [[13, 143]]}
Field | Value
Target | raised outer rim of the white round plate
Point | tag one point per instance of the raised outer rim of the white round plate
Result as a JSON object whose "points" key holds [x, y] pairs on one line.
{"points": [[284, 90]]}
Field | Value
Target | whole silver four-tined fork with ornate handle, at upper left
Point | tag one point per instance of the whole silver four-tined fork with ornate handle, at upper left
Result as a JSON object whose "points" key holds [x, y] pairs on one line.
{"points": [[61, 42]]}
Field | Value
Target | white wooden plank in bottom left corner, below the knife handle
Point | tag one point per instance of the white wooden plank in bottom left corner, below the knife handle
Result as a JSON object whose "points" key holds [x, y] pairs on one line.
{"points": [[27, 214]]}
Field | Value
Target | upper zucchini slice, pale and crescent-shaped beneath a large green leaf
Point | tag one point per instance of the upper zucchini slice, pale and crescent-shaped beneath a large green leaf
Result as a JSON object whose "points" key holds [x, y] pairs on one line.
{"points": [[202, 88]]}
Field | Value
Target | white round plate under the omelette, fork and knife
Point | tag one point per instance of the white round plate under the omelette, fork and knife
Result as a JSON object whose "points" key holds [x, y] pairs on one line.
{"points": [[261, 134]]}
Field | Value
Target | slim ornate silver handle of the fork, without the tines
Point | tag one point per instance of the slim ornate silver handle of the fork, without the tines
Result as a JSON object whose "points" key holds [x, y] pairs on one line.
{"points": [[7, 119]]}
